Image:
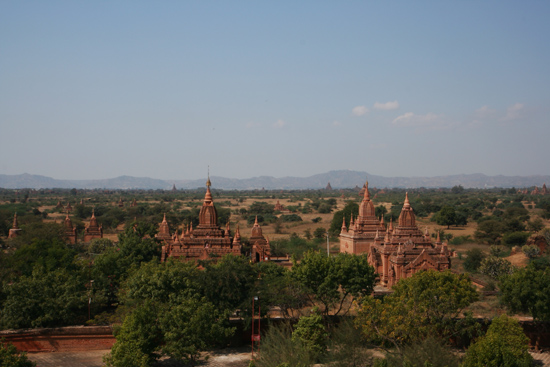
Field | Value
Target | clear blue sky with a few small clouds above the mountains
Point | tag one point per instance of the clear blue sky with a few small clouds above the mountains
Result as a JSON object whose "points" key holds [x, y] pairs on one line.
{"points": [[170, 89]]}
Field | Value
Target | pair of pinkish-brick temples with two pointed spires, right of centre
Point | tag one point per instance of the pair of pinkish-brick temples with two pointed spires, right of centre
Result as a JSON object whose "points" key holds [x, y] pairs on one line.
{"points": [[394, 252]]}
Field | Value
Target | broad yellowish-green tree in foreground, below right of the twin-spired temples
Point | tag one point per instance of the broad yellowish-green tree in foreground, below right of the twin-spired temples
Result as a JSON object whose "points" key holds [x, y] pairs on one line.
{"points": [[426, 304]]}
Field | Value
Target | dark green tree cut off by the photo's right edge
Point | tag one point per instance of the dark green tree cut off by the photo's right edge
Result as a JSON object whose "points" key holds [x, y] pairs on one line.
{"points": [[527, 290]]}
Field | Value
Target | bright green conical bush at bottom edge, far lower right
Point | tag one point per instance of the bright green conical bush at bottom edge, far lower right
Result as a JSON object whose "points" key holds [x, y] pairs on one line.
{"points": [[504, 345]]}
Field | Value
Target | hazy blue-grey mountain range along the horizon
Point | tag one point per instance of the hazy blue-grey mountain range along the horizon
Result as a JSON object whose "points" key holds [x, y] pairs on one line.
{"points": [[338, 179]]}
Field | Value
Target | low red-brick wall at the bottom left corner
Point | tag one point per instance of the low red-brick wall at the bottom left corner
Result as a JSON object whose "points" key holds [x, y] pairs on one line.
{"points": [[65, 339]]}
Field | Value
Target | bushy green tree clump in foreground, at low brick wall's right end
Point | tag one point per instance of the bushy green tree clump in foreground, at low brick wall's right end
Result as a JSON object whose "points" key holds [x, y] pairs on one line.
{"points": [[180, 328]]}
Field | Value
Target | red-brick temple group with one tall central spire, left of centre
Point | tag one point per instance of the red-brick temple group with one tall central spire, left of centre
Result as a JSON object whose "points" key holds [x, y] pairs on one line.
{"points": [[208, 240]]}
